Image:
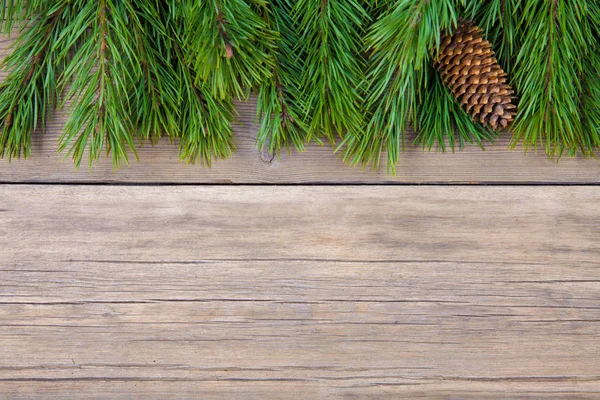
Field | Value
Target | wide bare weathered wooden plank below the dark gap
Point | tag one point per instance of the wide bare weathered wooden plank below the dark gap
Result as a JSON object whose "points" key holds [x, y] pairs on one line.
{"points": [[277, 292]]}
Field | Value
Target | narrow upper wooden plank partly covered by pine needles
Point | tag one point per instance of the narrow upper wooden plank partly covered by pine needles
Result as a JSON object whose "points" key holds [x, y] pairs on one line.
{"points": [[318, 164]]}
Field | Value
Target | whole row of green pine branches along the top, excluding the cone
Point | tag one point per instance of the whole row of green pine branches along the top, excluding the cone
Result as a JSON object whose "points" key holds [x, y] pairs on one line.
{"points": [[137, 70]]}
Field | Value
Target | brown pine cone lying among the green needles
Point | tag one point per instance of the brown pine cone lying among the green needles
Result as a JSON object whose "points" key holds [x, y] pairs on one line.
{"points": [[467, 65]]}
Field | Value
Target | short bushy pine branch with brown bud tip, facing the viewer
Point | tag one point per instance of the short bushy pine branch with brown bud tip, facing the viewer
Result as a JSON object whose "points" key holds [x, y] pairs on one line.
{"points": [[229, 43]]}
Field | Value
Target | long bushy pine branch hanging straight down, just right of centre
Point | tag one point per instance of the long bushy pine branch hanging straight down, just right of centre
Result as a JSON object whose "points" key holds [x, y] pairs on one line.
{"points": [[332, 76]]}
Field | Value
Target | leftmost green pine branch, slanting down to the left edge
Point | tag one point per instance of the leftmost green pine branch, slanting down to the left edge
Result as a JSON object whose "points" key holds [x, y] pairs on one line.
{"points": [[29, 93]]}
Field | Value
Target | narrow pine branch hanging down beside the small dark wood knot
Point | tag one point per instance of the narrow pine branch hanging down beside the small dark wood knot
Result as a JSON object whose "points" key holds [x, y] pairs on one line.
{"points": [[279, 104]]}
